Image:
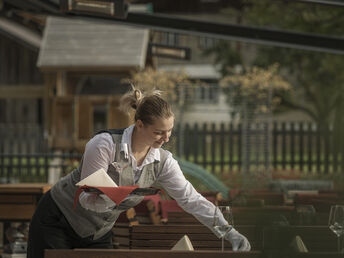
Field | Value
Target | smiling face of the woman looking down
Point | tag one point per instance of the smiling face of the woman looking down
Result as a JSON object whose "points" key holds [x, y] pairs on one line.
{"points": [[157, 134]]}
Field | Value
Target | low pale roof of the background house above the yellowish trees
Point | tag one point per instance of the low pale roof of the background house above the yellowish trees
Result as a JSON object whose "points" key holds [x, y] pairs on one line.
{"points": [[194, 71]]}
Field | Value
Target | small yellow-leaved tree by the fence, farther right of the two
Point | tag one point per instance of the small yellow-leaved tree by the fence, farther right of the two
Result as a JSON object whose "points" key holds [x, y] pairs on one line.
{"points": [[253, 94]]}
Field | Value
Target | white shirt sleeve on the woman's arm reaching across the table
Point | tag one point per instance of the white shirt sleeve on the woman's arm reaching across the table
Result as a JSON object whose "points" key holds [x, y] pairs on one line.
{"points": [[179, 188]]}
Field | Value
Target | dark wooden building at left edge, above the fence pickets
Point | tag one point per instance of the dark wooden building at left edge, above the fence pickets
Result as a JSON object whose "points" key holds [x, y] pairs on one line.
{"points": [[21, 83]]}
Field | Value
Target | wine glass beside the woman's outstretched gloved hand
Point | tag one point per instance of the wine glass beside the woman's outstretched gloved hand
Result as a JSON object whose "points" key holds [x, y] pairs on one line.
{"points": [[219, 228]]}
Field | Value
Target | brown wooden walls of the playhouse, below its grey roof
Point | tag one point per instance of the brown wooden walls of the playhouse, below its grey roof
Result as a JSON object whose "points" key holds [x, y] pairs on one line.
{"points": [[72, 121]]}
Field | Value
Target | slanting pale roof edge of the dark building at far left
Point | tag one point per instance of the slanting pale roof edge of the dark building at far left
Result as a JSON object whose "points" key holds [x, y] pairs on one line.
{"points": [[20, 33]]}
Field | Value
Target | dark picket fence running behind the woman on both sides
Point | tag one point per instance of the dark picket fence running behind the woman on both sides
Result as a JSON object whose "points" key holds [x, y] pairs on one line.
{"points": [[295, 147]]}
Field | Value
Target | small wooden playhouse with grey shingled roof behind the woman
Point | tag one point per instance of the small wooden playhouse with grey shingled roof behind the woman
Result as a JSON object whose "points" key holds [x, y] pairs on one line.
{"points": [[84, 63]]}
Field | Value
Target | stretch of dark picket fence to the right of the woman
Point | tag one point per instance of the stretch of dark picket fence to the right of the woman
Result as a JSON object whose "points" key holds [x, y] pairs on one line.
{"points": [[295, 146]]}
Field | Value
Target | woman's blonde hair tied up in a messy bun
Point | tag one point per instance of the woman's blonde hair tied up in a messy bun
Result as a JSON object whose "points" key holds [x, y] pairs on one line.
{"points": [[148, 106]]}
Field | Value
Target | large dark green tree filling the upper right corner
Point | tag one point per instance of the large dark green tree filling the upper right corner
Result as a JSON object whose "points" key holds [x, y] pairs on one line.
{"points": [[317, 80]]}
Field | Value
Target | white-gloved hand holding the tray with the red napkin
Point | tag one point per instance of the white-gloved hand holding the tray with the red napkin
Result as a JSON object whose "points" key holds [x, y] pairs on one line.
{"points": [[96, 202]]}
